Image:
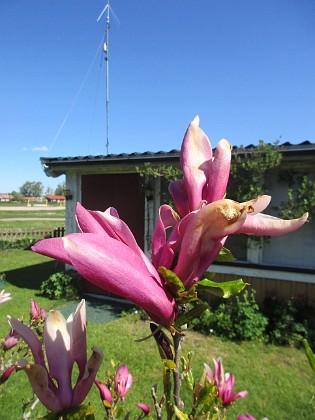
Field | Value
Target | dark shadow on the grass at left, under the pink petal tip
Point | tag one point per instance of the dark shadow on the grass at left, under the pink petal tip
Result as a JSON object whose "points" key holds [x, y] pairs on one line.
{"points": [[32, 276]]}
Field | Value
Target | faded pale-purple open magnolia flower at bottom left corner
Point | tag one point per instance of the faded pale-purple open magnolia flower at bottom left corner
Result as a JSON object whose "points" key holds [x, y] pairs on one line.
{"points": [[65, 344]]}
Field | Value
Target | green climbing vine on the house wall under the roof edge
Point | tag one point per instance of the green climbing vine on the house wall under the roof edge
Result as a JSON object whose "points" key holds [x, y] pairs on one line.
{"points": [[250, 177]]}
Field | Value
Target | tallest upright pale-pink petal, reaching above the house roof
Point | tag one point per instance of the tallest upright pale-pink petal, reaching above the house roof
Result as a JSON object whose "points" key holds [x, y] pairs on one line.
{"points": [[196, 158]]}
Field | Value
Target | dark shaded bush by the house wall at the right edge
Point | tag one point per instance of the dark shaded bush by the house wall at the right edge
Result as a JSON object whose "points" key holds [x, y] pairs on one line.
{"points": [[289, 321]]}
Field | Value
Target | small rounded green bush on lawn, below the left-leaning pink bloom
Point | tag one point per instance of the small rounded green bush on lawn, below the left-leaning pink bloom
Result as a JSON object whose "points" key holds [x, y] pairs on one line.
{"points": [[61, 285]]}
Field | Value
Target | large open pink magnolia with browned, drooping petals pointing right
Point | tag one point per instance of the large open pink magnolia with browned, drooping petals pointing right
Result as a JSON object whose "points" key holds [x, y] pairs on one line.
{"points": [[207, 218]]}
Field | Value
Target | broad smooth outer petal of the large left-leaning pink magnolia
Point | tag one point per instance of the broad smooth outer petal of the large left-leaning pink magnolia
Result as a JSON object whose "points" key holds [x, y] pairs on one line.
{"points": [[114, 267]]}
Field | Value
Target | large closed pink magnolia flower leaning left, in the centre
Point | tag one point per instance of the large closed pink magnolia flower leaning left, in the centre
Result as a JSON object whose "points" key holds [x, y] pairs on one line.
{"points": [[107, 254]]}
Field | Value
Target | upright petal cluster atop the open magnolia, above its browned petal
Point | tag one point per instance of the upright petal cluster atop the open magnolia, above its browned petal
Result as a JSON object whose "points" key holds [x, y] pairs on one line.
{"points": [[205, 176]]}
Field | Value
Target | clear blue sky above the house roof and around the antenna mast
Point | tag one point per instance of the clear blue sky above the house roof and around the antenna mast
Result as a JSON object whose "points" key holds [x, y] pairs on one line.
{"points": [[246, 67]]}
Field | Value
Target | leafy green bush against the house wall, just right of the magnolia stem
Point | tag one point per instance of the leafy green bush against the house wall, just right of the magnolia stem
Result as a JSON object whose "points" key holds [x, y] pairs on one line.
{"points": [[237, 319]]}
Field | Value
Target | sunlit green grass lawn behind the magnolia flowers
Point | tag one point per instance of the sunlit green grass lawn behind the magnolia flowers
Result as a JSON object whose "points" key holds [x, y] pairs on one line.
{"points": [[279, 379]]}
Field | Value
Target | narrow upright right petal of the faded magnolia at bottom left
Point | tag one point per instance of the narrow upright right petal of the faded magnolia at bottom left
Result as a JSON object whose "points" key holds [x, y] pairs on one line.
{"points": [[77, 329]]}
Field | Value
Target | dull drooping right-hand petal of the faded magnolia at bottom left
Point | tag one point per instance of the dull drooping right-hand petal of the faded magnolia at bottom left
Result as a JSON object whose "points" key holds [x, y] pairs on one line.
{"points": [[84, 385]]}
